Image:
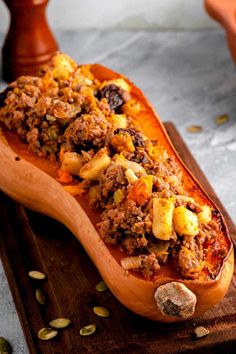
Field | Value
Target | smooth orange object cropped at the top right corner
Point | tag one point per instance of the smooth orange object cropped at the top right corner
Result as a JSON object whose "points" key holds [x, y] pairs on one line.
{"points": [[224, 11]]}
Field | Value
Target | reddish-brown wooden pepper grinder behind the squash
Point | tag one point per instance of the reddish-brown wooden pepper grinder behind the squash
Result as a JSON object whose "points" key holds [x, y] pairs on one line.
{"points": [[29, 42]]}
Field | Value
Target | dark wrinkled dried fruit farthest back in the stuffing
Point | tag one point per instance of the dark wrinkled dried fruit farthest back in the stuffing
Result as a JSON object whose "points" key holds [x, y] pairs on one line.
{"points": [[114, 96]]}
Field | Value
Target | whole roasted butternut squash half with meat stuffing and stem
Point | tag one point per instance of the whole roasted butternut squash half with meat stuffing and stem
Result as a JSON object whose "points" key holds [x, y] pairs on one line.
{"points": [[83, 145]]}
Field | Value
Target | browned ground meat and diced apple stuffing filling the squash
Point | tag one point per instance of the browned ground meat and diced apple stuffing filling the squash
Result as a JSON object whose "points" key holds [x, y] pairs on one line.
{"points": [[91, 128]]}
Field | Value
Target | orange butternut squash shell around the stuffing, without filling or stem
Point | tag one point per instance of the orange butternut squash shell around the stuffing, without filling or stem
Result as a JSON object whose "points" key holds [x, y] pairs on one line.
{"points": [[37, 190]]}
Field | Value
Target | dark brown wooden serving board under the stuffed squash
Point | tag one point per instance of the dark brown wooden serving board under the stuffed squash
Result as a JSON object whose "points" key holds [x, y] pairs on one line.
{"points": [[32, 241]]}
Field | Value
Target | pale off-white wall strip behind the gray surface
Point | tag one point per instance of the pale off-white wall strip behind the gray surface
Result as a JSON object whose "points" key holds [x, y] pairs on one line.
{"points": [[125, 14]]}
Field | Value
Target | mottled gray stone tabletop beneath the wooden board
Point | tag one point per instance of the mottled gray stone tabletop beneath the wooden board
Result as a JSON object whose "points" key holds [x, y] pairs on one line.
{"points": [[190, 79]]}
